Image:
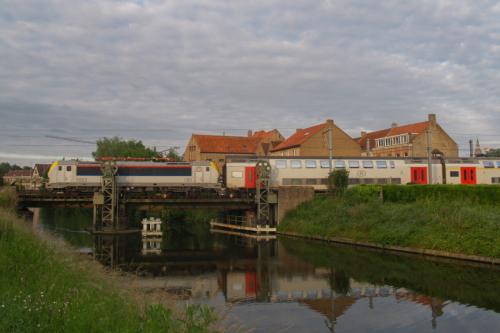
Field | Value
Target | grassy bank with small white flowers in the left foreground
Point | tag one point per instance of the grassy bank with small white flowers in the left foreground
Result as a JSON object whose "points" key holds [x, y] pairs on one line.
{"points": [[49, 289]]}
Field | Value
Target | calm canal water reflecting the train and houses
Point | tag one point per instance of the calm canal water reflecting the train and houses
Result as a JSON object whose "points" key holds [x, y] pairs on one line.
{"points": [[292, 285]]}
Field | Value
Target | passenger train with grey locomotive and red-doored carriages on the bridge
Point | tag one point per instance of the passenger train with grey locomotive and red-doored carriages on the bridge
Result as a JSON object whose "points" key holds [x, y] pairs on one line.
{"points": [[239, 174]]}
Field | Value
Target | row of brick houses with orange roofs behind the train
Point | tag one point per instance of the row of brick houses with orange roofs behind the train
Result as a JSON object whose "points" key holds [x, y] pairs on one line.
{"points": [[410, 140]]}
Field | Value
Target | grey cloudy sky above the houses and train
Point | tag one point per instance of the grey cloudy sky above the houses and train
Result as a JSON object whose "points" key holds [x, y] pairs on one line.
{"points": [[161, 70]]}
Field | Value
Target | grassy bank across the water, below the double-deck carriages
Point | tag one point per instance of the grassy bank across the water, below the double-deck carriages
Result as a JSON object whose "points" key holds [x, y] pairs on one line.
{"points": [[436, 220]]}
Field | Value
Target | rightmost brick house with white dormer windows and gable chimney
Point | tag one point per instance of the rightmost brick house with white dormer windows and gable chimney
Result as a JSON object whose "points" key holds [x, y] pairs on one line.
{"points": [[408, 140]]}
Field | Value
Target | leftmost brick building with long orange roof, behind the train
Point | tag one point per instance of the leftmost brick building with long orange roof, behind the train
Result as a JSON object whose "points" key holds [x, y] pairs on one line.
{"points": [[216, 147]]}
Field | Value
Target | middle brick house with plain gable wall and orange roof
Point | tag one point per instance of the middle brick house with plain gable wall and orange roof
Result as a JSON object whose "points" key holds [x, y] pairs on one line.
{"points": [[313, 141]]}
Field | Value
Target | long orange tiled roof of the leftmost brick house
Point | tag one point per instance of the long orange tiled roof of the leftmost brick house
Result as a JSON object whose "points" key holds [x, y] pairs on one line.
{"points": [[227, 144]]}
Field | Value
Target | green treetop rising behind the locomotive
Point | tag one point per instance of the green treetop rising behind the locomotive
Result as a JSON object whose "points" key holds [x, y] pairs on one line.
{"points": [[116, 147]]}
